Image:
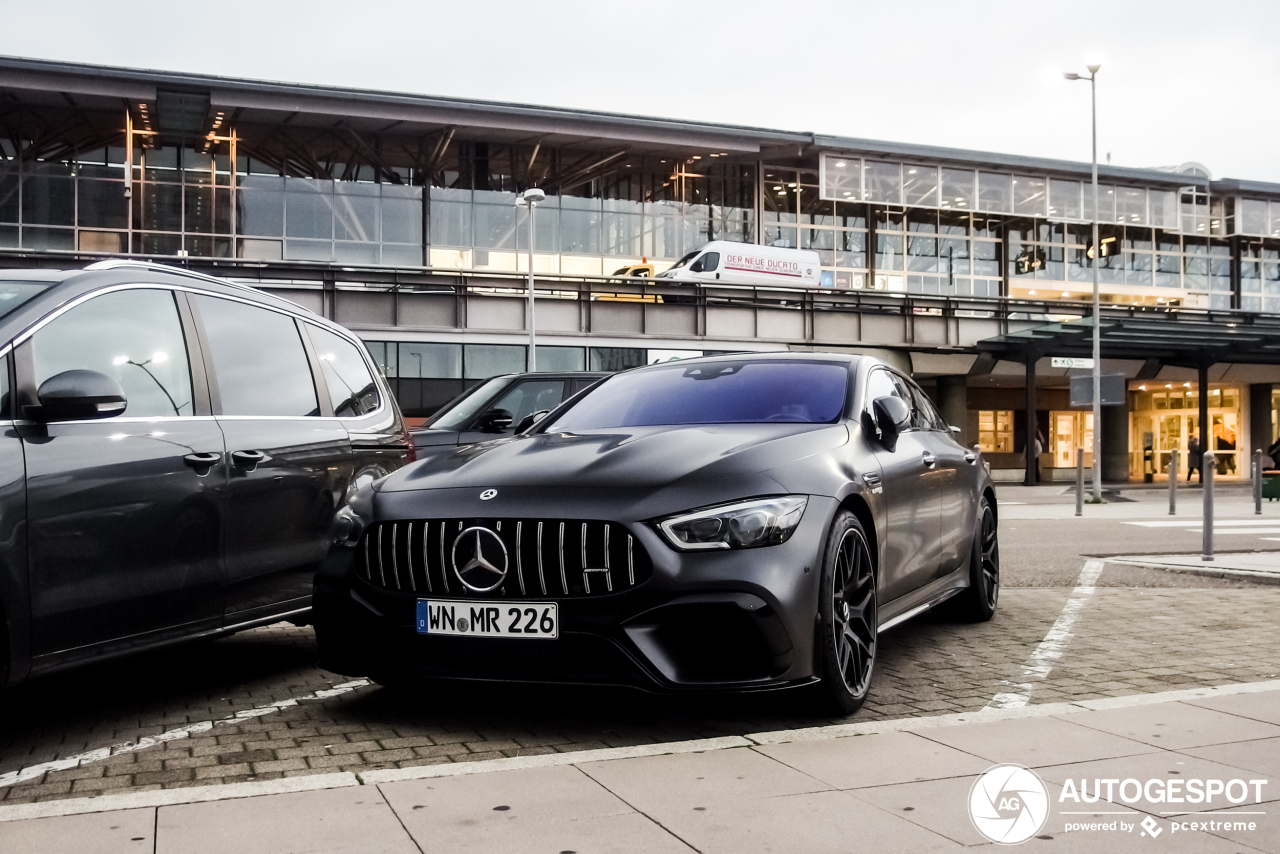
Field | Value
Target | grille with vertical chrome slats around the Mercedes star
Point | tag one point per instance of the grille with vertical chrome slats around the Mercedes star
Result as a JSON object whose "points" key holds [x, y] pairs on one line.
{"points": [[546, 558]]}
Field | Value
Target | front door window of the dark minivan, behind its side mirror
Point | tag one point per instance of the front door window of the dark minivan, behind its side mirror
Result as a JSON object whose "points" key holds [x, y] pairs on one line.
{"points": [[135, 337]]}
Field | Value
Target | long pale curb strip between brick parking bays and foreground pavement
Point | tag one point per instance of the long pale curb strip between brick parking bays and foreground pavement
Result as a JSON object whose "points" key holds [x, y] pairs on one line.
{"points": [[313, 783]]}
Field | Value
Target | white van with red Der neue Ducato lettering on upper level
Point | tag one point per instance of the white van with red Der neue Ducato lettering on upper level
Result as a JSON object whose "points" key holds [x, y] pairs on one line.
{"points": [[728, 263]]}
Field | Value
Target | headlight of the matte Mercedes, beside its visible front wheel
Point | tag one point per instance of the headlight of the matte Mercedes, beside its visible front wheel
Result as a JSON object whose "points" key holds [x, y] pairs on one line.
{"points": [[747, 524]]}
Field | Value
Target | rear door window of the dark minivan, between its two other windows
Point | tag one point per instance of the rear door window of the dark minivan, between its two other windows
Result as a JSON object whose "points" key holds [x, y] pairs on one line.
{"points": [[259, 360]]}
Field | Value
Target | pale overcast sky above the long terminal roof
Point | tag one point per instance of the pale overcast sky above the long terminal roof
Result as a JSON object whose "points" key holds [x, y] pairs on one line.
{"points": [[1181, 81]]}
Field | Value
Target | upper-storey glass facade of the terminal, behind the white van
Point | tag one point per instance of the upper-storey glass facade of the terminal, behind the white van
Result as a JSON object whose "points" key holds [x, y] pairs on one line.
{"points": [[447, 203]]}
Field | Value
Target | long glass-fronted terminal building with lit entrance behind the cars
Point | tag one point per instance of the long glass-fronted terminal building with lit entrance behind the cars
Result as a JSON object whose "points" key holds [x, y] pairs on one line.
{"points": [[396, 216]]}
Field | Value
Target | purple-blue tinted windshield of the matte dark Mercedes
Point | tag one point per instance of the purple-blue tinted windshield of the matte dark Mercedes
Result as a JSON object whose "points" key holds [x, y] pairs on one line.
{"points": [[721, 392]]}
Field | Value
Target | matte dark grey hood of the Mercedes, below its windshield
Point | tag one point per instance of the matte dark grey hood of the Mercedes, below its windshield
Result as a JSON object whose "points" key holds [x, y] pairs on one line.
{"points": [[636, 458]]}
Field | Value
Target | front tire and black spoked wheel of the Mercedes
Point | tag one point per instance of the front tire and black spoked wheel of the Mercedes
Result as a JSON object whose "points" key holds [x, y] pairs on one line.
{"points": [[848, 618]]}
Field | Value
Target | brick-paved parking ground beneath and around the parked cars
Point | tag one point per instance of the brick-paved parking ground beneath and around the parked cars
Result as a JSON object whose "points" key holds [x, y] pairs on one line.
{"points": [[255, 707]]}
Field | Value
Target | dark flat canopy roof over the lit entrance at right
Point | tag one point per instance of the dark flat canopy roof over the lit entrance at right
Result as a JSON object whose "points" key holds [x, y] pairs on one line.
{"points": [[1229, 336]]}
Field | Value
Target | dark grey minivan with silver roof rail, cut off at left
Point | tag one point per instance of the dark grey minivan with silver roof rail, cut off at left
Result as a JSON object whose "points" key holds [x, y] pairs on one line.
{"points": [[173, 451]]}
